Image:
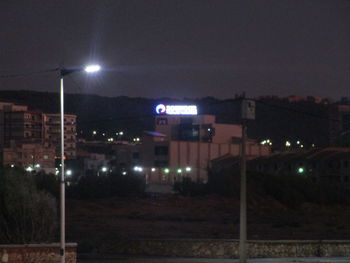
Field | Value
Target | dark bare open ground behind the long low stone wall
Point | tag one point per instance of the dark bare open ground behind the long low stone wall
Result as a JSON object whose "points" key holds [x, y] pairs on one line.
{"points": [[95, 222]]}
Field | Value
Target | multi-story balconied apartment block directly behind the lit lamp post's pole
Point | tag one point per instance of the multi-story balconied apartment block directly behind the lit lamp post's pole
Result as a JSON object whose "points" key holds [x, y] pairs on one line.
{"points": [[52, 133]]}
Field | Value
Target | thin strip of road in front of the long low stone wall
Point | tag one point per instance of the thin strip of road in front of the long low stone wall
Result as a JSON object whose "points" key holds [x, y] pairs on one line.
{"points": [[125, 259]]}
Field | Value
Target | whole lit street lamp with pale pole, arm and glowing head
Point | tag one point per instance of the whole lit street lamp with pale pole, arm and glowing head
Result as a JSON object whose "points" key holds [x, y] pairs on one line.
{"points": [[64, 72]]}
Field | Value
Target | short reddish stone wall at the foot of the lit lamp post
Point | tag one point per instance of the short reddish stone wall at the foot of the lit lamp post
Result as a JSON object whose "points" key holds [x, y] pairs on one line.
{"points": [[38, 253]]}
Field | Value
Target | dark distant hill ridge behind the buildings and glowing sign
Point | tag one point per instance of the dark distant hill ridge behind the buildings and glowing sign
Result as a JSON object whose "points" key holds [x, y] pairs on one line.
{"points": [[276, 118]]}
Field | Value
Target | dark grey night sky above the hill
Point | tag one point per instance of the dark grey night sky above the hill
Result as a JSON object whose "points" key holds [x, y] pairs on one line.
{"points": [[187, 48]]}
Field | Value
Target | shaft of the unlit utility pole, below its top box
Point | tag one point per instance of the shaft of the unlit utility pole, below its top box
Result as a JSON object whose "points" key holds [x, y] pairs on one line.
{"points": [[243, 200]]}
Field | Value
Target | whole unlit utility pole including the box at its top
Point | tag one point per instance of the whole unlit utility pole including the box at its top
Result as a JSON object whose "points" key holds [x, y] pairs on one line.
{"points": [[247, 112]]}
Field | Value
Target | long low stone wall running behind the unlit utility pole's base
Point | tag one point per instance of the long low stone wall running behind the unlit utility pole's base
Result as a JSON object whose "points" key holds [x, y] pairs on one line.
{"points": [[228, 248]]}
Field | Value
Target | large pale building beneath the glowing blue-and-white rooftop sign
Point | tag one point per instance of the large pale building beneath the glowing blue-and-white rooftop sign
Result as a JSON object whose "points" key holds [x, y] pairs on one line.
{"points": [[183, 145]]}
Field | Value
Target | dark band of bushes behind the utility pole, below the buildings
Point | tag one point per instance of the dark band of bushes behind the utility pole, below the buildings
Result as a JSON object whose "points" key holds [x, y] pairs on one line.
{"points": [[291, 191]]}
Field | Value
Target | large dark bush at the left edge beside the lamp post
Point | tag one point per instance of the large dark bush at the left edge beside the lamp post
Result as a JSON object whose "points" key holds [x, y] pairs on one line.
{"points": [[27, 215]]}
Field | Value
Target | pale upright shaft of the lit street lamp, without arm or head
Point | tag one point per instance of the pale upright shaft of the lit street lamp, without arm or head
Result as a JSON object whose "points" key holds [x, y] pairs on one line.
{"points": [[62, 184]]}
